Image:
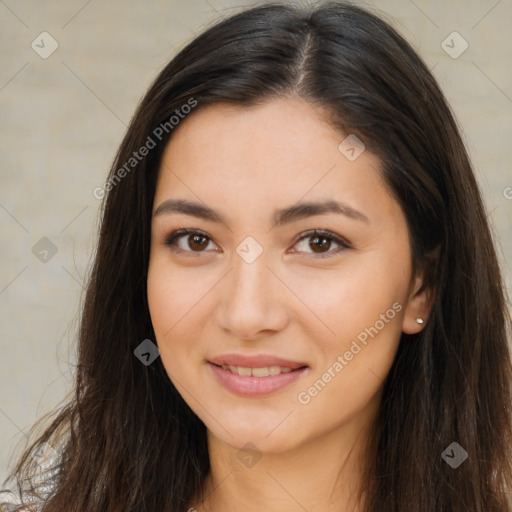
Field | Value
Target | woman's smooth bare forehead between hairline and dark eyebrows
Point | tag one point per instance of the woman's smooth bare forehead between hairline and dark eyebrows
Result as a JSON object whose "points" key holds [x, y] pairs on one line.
{"points": [[272, 154]]}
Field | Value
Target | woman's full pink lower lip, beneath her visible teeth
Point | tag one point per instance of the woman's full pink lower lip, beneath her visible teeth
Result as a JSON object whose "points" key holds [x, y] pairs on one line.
{"points": [[254, 386]]}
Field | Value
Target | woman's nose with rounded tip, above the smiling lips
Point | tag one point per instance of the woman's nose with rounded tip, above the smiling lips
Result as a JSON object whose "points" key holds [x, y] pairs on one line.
{"points": [[253, 301]]}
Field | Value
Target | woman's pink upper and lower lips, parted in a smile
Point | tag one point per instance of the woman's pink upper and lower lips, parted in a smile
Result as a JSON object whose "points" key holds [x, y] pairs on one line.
{"points": [[249, 386]]}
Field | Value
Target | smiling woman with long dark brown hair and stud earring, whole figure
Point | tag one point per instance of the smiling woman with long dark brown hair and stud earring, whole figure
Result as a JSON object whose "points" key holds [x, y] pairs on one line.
{"points": [[295, 303]]}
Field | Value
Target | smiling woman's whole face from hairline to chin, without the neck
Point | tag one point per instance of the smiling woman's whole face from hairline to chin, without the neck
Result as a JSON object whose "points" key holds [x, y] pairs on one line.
{"points": [[272, 333]]}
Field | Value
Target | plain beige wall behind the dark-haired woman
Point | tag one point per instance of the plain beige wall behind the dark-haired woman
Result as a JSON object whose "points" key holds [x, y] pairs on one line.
{"points": [[63, 117]]}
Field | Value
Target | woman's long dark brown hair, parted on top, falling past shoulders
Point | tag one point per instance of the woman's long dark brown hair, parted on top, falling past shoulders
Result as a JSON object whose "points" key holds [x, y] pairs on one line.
{"points": [[127, 441]]}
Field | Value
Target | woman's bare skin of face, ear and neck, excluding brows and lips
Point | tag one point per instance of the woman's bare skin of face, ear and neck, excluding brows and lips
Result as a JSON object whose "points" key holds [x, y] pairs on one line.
{"points": [[245, 163]]}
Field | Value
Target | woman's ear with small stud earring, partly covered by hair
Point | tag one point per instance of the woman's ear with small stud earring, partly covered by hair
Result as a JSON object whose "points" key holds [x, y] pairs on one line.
{"points": [[421, 297]]}
